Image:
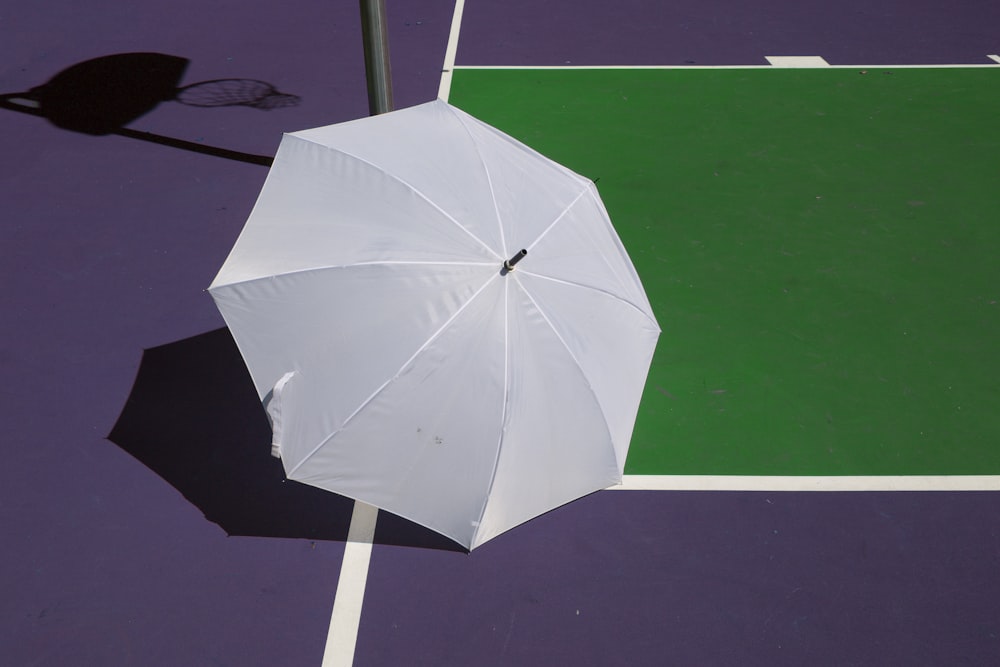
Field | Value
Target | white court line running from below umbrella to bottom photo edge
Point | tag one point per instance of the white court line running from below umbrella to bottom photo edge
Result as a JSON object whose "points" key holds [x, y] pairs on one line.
{"points": [[346, 617]]}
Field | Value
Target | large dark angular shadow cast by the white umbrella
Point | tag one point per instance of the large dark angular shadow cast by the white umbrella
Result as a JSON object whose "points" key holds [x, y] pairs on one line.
{"points": [[193, 418]]}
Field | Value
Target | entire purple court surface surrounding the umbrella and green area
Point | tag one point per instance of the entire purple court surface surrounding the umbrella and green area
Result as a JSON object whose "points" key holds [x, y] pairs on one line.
{"points": [[129, 536]]}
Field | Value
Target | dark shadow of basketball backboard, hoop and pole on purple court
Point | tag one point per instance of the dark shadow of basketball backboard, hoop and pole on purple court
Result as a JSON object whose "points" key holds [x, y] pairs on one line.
{"points": [[102, 95]]}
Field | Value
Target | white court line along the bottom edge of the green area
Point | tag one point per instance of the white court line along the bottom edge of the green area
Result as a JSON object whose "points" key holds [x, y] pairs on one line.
{"points": [[808, 483]]}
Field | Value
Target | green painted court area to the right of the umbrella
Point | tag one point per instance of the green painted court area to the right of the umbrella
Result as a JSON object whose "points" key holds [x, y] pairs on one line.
{"points": [[821, 247]]}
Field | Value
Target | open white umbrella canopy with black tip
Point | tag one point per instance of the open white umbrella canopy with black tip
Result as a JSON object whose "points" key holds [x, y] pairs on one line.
{"points": [[403, 357]]}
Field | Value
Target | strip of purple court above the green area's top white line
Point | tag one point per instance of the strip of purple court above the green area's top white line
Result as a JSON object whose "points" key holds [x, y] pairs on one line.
{"points": [[727, 32]]}
